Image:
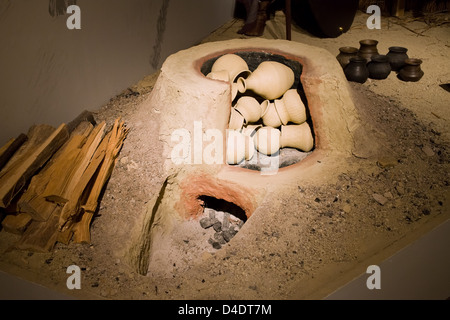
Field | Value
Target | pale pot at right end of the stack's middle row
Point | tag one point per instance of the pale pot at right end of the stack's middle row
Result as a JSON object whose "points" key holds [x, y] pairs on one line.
{"points": [[290, 108]]}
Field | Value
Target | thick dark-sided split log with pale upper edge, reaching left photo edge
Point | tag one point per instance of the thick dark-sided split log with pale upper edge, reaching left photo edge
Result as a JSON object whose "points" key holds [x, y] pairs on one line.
{"points": [[13, 178]]}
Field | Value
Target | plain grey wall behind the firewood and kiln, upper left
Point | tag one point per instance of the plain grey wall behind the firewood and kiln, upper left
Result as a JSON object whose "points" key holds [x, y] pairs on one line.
{"points": [[49, 74]]}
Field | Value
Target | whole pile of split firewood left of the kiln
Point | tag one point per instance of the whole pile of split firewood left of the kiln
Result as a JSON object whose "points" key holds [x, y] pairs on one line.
{"points": [[51, 180]]}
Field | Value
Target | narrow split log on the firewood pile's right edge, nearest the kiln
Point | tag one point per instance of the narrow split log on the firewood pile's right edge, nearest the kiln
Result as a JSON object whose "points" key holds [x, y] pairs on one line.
{"points": [[115, 143]]}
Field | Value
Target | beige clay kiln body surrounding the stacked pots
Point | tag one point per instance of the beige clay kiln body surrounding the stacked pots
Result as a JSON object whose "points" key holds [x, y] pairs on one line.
{"points": [[193, 103]]}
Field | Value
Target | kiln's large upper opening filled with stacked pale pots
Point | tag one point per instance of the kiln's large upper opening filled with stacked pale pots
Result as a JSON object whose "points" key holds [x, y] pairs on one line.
{"points": [[270, 125]]}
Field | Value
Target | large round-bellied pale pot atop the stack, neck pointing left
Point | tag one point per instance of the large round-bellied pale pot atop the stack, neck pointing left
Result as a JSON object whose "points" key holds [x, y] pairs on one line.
{"points": [[270, 80]]}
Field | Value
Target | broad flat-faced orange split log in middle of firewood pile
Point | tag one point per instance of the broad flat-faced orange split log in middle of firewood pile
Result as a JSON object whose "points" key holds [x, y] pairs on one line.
{"points": [[70, 170]]}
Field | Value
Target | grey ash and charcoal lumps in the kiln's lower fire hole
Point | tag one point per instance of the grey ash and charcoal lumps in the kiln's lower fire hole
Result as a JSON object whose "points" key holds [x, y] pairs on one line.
{"points": [[223, 225]]}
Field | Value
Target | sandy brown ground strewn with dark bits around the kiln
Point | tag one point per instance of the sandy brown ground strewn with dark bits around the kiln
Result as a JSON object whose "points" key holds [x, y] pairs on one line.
{"points": [[309, 241]]}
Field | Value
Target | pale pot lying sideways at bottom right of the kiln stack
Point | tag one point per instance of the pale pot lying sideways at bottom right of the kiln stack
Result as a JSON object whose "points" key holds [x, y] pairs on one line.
{"points": [[297, 136]]}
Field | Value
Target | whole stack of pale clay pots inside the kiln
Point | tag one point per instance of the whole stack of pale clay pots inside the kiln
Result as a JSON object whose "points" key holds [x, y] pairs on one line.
{"points": [[278, 121]]}
